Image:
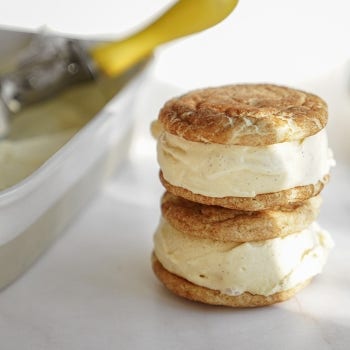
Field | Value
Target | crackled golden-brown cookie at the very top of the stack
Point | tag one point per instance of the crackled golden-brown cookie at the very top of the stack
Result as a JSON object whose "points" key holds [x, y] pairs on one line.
{"points": [[246, 114]]}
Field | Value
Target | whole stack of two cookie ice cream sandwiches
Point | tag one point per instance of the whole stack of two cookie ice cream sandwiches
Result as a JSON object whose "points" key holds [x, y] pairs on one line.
{"points": [[243, 166]]}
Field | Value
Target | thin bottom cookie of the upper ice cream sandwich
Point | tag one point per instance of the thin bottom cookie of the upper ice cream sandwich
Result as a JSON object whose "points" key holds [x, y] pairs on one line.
{"points": [[259, 202]]}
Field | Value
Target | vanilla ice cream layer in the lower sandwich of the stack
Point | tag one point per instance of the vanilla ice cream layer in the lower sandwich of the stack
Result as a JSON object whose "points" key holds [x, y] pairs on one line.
{"points": [[261, 267]]}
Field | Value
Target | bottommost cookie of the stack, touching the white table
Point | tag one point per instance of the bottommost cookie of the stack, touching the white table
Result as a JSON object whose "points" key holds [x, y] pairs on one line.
{"points": [[188, 290]]}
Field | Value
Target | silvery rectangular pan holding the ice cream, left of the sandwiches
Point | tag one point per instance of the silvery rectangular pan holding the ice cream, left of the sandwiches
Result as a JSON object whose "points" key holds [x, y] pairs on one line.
{"points": [[34, 211]]}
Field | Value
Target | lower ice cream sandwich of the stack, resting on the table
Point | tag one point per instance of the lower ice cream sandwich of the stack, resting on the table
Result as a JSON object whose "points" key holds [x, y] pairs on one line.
{"points": [[224, 257]]}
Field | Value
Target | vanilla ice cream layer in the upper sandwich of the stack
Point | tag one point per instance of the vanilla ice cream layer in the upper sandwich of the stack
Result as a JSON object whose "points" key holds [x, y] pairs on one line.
{"points": [[217, 170]]}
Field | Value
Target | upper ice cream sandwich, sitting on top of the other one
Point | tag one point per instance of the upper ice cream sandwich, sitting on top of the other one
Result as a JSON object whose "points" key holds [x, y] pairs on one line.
{"points": [[246, 147]]}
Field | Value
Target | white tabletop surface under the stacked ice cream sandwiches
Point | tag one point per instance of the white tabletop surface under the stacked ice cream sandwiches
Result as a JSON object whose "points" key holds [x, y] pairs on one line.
{"points": [[94, 289]]}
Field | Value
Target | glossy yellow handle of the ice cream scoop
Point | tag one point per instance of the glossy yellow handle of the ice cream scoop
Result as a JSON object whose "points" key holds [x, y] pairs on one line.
{"points": [[184, 18]]}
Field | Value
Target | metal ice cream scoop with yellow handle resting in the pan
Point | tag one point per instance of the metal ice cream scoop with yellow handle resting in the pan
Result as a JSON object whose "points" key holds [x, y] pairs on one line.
{"points": [[53, 63]]}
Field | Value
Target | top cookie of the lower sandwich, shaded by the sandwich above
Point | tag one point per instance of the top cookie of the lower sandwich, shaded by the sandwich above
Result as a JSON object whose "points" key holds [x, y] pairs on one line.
{"points": [[229, 225]]}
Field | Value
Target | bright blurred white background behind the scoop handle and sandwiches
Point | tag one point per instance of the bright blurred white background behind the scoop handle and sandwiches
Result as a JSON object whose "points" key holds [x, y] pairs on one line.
{"points": [[299, 43]]}
